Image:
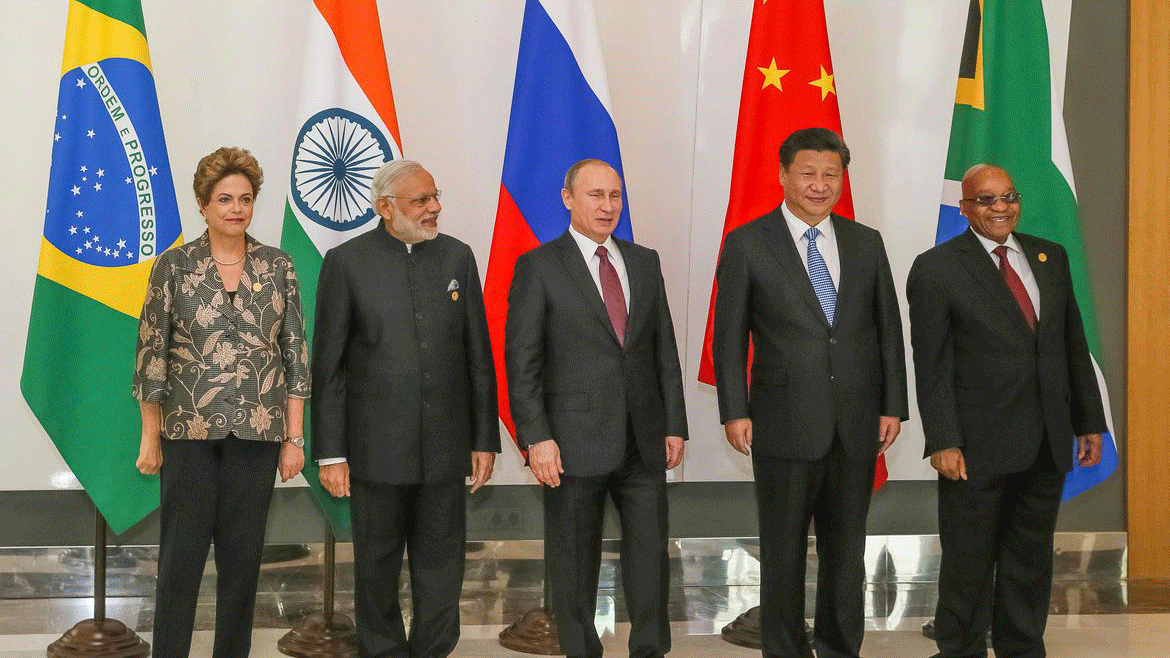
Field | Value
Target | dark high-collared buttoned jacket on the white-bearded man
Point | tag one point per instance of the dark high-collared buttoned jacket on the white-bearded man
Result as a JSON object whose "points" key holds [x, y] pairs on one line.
{"points": [[402, 353]]}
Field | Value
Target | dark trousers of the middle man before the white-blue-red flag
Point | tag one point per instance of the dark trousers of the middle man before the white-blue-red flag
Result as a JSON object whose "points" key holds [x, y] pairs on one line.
{"points": [[574, 513]]}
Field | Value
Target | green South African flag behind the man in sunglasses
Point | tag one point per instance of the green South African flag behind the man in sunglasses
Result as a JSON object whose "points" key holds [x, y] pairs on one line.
{"points": [[1009, 113]]}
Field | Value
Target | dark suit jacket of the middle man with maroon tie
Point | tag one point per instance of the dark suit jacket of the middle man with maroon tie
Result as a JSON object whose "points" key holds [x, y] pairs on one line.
{"points": [[570, 380]]}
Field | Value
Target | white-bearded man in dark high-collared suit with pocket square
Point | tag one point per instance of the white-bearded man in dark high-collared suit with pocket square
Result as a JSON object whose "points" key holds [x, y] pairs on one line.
{"points": [[405, 410]]}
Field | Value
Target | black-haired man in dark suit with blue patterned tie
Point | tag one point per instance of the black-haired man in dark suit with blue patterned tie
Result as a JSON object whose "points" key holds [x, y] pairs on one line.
{"points": [[814, 293]]}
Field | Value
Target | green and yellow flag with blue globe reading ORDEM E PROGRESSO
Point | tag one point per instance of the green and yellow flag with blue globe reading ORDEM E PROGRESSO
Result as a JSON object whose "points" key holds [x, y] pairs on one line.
{"points": [[111, 213]]}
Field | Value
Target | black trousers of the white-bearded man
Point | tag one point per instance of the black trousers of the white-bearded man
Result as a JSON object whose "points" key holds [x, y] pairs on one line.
{"points": [[430, 522]]}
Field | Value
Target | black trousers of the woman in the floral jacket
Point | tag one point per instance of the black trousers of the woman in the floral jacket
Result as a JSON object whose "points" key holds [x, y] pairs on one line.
{"points": [[211, 492]]}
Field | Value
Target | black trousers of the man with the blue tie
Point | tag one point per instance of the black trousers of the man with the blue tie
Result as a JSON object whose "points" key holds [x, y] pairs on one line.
{"points": [[836, 492]]}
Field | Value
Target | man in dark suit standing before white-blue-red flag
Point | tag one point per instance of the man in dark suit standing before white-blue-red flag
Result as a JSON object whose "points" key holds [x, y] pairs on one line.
{"points": [[596, 394]]}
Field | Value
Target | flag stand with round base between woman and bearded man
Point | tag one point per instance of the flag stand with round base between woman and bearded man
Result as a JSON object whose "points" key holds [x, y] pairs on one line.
{"points": [[327, 634]]}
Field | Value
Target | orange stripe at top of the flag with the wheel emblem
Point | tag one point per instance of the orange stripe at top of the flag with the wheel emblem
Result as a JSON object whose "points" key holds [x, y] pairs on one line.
{"points": [[359, 32]]}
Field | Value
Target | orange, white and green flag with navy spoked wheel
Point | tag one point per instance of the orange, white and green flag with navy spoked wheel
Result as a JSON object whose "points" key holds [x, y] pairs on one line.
{"points": [[349, 131]]}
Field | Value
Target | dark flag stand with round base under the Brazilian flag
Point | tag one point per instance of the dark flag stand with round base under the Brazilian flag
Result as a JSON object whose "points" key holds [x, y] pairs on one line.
{"points": [[100, 638]]}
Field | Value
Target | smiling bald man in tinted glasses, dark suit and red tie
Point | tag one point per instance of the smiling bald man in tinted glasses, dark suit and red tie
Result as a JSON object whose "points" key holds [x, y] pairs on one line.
{"points": [[1006, 383]]}
